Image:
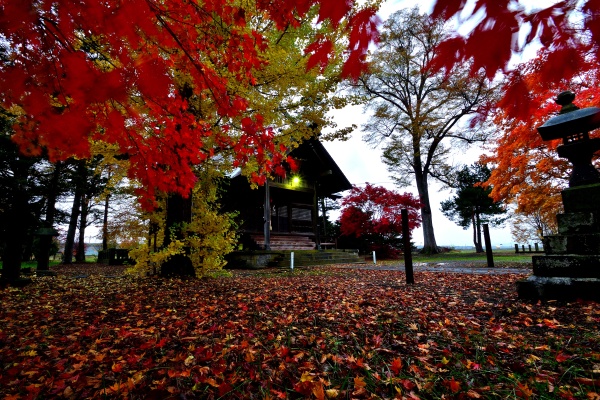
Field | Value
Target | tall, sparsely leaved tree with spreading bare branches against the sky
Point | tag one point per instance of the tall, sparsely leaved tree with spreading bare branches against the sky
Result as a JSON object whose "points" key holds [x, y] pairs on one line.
{"points": [[416, 110]]}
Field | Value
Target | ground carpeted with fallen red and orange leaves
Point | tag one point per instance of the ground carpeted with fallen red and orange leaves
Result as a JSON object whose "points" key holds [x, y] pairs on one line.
{"points": [[321, 333]]}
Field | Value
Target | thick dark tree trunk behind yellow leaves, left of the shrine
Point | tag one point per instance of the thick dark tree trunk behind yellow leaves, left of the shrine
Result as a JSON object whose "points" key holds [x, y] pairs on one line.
{"points": [[179, 213]]}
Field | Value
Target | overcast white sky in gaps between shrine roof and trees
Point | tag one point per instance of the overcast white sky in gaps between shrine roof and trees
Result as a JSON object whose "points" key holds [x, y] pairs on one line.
{"points": [[361, 164]]}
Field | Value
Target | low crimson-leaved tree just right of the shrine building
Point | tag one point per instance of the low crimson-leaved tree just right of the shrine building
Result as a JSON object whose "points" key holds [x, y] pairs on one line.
{"points": [[372, 217]]}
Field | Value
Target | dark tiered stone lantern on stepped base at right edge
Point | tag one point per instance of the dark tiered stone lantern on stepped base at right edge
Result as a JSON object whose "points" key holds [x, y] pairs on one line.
{"points": [[571, 267]]}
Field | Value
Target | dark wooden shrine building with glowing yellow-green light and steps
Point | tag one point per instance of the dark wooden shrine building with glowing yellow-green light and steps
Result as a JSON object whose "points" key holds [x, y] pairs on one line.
{"points": [[283, 214]]}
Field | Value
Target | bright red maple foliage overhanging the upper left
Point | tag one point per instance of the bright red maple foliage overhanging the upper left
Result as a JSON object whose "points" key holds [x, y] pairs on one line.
{"points": [[75, 71]]}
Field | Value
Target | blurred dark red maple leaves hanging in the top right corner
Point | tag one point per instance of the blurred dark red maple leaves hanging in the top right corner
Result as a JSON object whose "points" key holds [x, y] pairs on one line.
{"points": [[568, 31]]}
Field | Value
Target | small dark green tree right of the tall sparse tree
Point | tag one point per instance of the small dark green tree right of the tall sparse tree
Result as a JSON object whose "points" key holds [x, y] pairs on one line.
{"points": [[472, 204]]}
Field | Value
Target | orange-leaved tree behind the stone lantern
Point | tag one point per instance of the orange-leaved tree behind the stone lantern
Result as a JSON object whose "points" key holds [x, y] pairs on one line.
{"points": [[528, 172]]}
